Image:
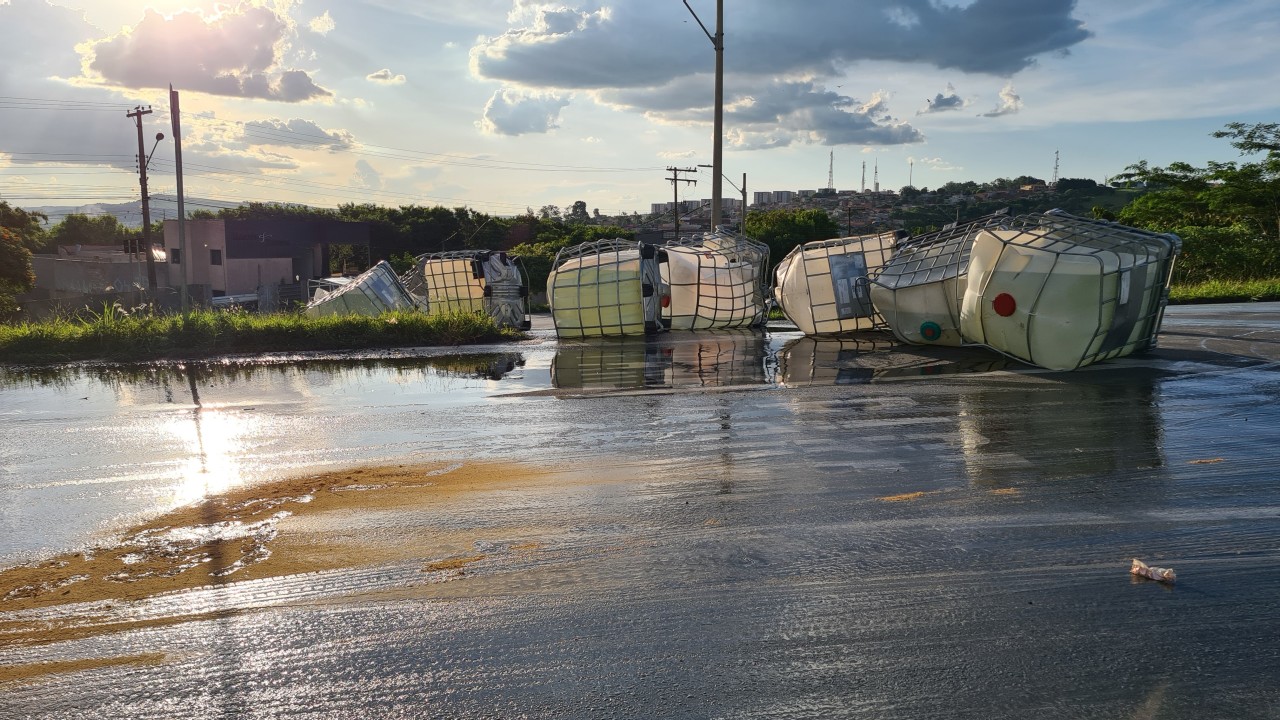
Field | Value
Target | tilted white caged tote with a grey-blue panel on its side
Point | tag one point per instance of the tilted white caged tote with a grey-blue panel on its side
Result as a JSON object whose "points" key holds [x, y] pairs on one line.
{"points": [[825, 286]]}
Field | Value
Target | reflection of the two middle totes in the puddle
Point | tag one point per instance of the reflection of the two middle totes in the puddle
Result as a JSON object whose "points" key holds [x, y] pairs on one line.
{"points": [[669, 361]]}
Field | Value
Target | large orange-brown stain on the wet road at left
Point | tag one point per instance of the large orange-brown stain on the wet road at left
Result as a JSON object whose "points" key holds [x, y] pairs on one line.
{"points": [[268, 531]]}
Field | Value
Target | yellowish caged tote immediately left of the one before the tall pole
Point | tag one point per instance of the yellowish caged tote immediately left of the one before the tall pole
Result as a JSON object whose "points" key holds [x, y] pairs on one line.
{"points": [[605, 289]]}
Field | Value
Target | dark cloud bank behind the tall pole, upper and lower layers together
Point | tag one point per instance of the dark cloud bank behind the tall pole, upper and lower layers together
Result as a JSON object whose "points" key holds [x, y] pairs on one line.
{"points": [[610, 52]]}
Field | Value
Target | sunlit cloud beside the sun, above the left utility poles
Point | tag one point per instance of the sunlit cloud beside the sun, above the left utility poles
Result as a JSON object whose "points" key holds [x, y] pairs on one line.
{"points": [[237, 53]]}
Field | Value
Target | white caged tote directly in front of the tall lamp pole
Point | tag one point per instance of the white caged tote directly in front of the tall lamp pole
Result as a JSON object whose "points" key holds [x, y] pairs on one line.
{"points": [[714, 282]]}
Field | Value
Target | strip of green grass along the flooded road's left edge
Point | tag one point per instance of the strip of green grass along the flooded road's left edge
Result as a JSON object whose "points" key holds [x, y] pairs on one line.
{"points": [[117, 336]]}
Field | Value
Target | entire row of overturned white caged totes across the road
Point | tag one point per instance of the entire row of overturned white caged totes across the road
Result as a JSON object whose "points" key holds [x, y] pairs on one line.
{"points": [[1050, 289]]}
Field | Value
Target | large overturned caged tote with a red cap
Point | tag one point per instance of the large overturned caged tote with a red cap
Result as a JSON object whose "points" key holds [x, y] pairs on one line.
{"points": [[1063, 293]]}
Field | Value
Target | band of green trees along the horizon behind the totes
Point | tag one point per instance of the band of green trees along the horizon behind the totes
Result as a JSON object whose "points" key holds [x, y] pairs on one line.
{"points": [[1228, 216]]}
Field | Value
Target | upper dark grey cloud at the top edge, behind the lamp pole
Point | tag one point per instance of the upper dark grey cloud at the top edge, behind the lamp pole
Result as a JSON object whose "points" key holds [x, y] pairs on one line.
{"points": [[632, 43]]}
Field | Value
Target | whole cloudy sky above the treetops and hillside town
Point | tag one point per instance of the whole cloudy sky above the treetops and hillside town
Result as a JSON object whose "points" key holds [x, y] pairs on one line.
{"points": [[506, 106]]}
